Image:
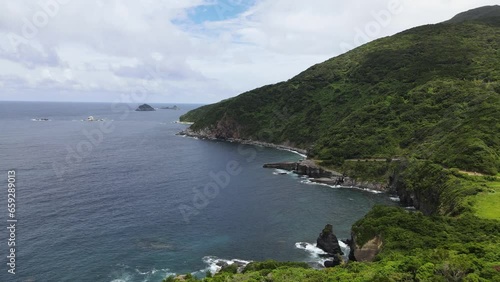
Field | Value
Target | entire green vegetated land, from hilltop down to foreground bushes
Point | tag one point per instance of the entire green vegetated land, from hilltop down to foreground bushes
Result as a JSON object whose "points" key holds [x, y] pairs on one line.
{"points": [[424, 107]]}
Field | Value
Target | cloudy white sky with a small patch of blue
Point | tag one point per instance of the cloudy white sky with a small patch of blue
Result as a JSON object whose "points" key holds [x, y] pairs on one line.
{"points": [[186, 51]]}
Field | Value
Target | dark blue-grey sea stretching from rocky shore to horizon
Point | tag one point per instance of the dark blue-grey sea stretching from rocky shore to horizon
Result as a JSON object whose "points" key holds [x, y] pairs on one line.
{"points": [[124, 198]]}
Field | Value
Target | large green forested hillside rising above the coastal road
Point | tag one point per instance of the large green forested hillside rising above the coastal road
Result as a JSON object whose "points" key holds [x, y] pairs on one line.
{"points": [[432, 92]]}
